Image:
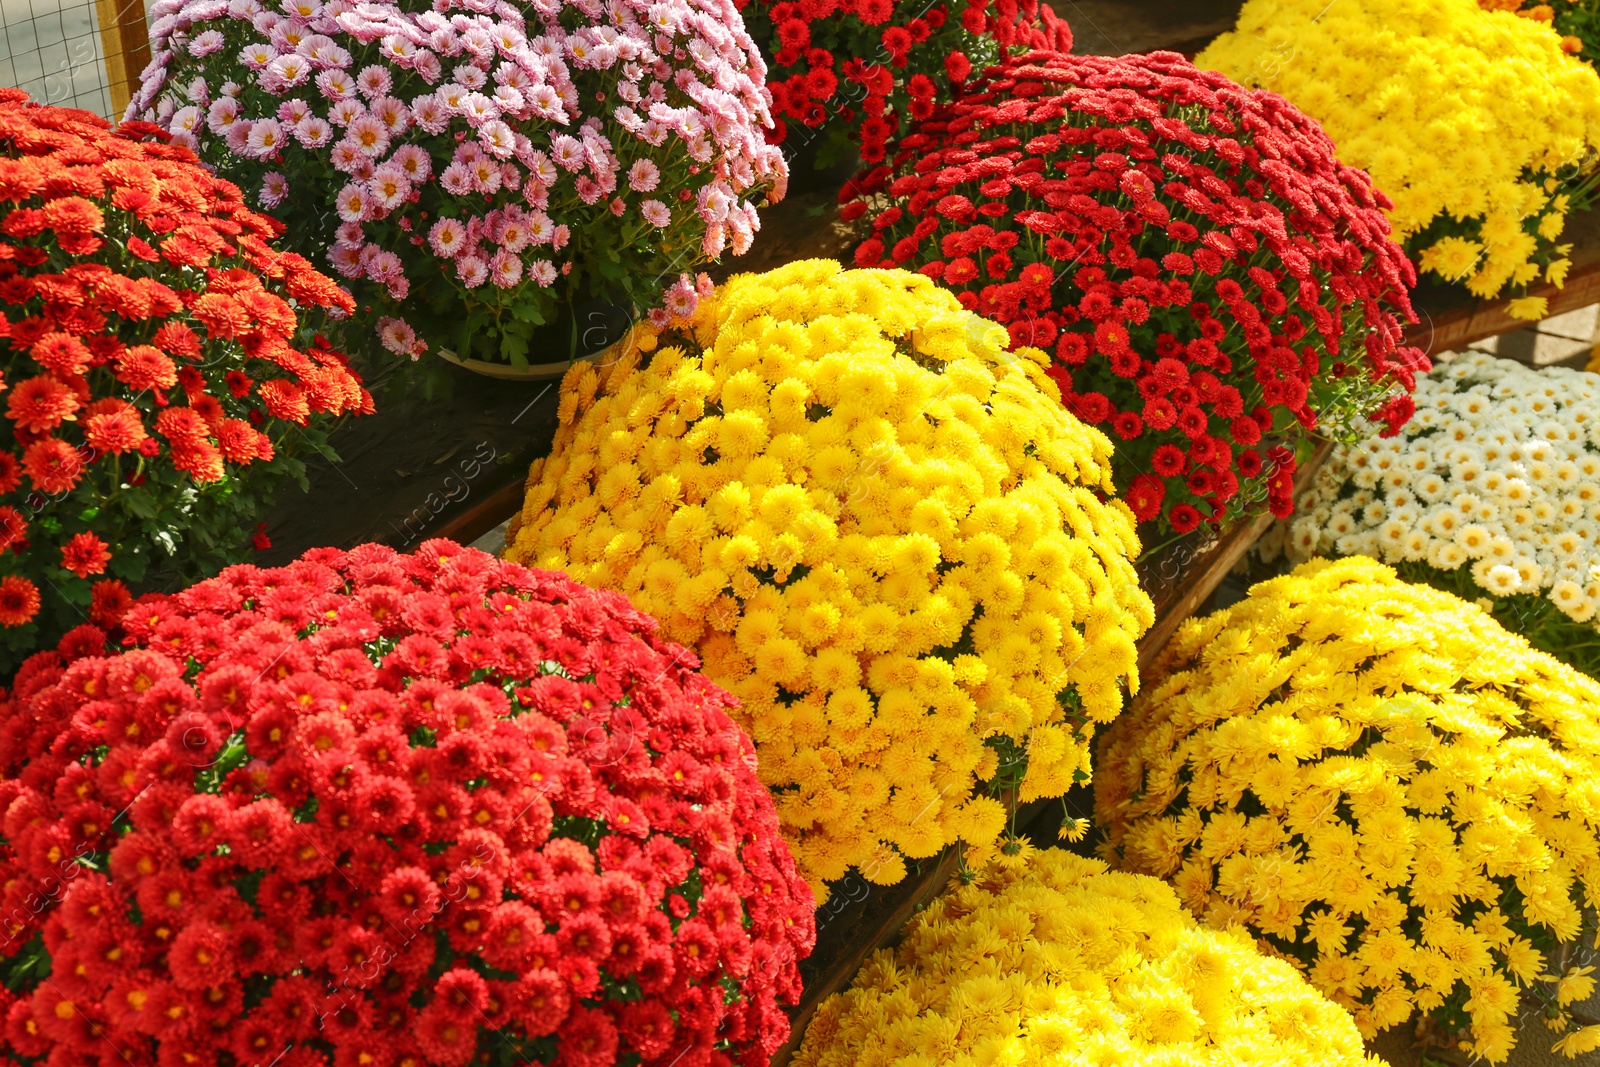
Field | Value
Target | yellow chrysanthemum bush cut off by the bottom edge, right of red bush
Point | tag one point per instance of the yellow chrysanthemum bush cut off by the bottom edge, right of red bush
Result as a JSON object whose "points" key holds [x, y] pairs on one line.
{"points": [[1050, 959]]}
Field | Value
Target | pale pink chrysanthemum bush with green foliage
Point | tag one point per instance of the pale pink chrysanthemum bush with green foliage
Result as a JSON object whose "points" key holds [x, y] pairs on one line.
{"points": [[474, 167]]}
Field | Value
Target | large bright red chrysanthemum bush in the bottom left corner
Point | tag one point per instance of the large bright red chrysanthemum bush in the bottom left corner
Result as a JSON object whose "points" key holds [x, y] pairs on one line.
{"points": [[388, 810]]}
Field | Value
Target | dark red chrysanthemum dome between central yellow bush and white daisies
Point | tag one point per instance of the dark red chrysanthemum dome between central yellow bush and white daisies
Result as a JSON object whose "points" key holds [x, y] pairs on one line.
{"points": [[1212, 281]]}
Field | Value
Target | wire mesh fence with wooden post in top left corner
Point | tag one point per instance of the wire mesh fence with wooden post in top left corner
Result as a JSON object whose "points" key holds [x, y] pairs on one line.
{"points": [[74, 54]]}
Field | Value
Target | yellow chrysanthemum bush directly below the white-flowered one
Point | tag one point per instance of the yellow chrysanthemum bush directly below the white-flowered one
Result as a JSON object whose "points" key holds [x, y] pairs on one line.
{"points": [[1386, 788]]}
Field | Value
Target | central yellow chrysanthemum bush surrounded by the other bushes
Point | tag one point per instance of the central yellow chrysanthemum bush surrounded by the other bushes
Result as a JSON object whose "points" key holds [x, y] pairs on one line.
{"points": [[881, 532]]}
